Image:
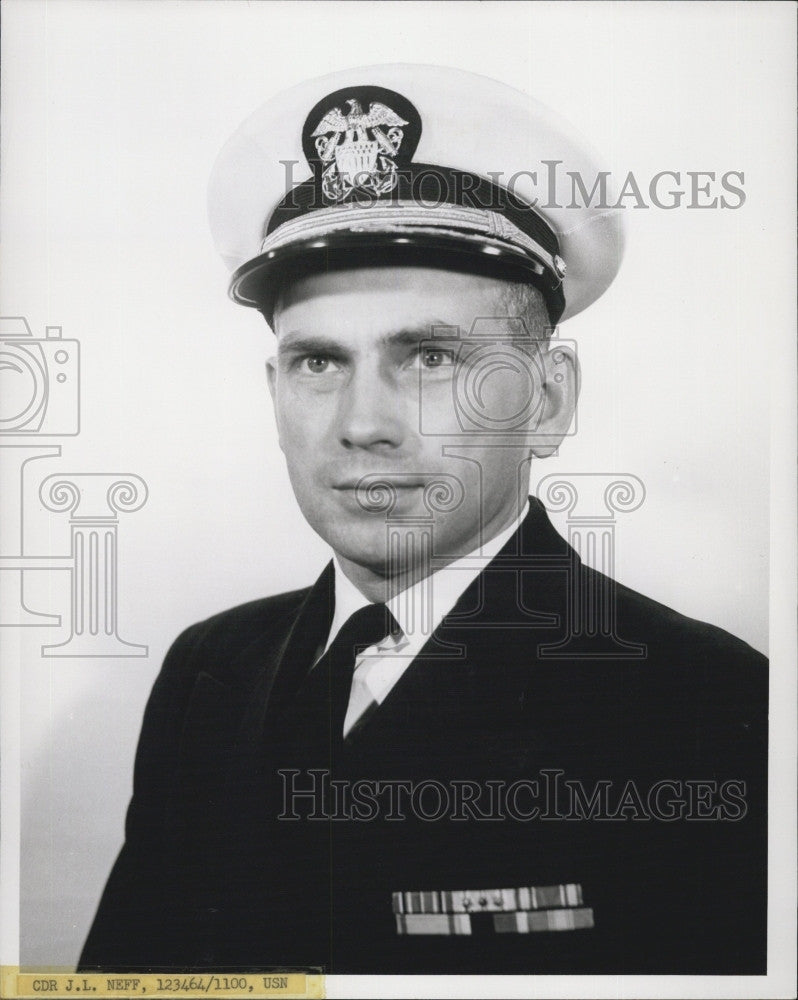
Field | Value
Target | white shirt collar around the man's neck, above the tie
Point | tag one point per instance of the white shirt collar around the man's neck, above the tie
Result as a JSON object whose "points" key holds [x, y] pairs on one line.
{"points": [[412, 606]]}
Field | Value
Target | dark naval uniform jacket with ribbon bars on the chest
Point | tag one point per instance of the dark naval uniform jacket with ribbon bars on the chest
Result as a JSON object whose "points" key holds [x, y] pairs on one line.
{"points": [[640, 736]]}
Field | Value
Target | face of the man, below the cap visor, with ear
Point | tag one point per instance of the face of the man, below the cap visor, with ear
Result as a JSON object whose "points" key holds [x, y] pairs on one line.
{"points": [[360, 390]]}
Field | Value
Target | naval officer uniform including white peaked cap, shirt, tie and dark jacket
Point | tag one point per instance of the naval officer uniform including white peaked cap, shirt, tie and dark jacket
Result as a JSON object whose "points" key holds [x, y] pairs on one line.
{"points": [[233, 859]]}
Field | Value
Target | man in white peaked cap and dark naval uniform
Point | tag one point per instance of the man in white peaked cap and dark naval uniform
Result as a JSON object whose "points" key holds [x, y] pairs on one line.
{"points": [[460, 730]]}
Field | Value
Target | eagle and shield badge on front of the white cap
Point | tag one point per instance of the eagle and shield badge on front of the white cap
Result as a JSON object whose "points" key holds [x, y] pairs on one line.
{"points": [[356, 138]]}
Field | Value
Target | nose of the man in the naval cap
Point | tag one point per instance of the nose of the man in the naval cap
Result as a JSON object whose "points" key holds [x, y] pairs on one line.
{"points": [[369, 412]]}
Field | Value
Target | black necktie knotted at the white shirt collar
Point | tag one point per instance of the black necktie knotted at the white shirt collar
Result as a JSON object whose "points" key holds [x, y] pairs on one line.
{"points": [[325, 691]]}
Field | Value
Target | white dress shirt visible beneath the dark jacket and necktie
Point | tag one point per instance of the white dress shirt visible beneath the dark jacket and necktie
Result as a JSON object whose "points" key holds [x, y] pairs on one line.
{"points": [[418, 610]]}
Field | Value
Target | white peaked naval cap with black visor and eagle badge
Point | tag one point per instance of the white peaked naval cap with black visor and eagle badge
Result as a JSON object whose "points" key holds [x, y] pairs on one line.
{"points": [[427, 160]]}
